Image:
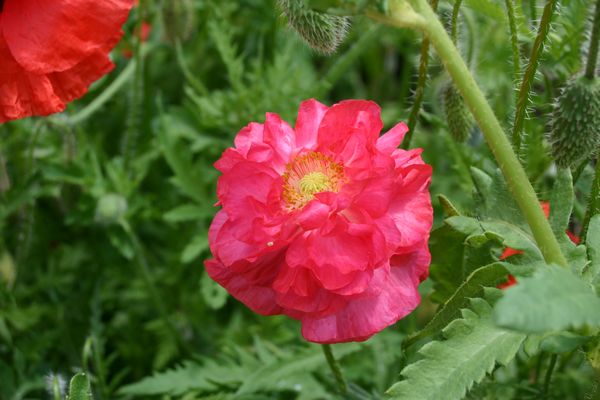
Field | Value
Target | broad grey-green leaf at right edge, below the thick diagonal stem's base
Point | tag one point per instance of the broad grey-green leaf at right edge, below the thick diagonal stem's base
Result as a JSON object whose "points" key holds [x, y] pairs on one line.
{"points": [[552, 299]]}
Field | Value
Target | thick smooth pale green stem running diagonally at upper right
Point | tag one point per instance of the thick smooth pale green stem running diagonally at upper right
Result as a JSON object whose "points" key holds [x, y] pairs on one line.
{"points": [[516, 178]]}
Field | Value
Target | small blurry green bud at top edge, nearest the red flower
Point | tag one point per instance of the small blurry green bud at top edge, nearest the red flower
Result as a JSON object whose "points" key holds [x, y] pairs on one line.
{"points": [[178, 19]]}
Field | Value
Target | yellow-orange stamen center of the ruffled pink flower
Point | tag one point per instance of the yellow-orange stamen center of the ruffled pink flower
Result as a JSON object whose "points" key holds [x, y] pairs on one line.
{"points": [[309, 174]]}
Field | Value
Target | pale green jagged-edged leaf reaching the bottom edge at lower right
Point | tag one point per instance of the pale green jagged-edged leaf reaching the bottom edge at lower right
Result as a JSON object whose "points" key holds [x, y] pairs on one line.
{"points": [[450, 367]]}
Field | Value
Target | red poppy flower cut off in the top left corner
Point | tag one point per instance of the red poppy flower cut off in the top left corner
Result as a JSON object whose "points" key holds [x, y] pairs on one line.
{"points": [[52, 50]]}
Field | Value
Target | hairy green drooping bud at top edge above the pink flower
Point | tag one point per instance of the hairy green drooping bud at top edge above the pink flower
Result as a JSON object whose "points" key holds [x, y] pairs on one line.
{"points": [[322, 32]]}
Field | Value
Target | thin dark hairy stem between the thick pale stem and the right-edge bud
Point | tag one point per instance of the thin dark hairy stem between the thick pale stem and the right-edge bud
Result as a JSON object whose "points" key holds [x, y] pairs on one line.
{"points": [[529, 77]]}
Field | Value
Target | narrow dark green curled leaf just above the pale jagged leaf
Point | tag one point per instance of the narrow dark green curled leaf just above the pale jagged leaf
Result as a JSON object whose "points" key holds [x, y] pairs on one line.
{"points": [[490, 275]]}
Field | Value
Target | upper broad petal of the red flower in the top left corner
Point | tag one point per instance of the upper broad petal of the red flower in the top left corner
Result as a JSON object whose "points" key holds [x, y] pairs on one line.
{"points": [[53, 36]]}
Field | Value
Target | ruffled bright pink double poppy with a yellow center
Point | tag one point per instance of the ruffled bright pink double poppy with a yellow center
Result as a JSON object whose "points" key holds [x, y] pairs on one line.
{"points": [[327, 223]]}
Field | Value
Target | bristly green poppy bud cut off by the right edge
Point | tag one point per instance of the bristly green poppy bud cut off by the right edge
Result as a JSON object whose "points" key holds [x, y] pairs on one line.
{"points": [[575, 132]]}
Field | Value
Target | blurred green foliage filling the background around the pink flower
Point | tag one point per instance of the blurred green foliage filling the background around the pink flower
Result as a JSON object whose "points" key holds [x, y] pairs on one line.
{"points": [[104, 209]]}
